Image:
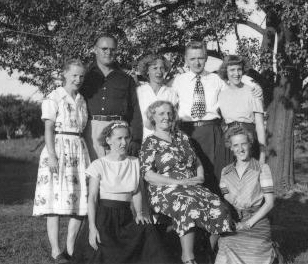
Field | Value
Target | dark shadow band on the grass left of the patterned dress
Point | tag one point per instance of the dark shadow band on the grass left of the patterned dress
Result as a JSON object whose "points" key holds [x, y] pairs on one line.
{"points": [[17, 180]]}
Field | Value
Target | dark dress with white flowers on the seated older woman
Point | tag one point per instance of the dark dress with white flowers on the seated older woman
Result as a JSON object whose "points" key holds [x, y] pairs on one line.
{"points": [[188, 206]]}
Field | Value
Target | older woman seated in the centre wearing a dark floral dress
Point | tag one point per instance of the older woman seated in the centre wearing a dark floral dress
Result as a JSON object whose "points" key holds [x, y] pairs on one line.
{"points": [[174, 176]]}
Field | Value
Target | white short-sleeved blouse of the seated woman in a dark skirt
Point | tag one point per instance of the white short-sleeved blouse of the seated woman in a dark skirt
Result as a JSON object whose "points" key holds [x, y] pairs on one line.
{"points": [[115, 177]]}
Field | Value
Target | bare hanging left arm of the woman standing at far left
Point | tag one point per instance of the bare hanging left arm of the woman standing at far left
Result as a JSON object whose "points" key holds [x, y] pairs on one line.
{"points": [[50, 145]]}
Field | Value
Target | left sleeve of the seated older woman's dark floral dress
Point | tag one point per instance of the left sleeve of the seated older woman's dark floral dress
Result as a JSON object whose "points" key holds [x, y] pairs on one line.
{"points": [[147, 156]]}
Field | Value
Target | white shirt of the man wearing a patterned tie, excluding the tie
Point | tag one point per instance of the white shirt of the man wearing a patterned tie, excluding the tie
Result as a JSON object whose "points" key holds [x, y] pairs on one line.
{"points": [[184, 86]]}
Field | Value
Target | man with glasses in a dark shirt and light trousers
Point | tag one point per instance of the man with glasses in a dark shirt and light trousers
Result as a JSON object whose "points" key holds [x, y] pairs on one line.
{"points": [[111, 95]]}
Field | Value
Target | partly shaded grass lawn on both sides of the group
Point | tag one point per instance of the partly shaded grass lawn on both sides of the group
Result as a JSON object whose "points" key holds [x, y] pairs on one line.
{"points": [[23, 238]]}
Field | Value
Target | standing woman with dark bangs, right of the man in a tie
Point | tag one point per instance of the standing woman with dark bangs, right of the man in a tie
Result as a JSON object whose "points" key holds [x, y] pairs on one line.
{"points": [[238, 106]]}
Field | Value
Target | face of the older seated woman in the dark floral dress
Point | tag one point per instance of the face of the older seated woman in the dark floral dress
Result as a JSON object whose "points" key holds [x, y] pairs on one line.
{"points": [[163, 117]]}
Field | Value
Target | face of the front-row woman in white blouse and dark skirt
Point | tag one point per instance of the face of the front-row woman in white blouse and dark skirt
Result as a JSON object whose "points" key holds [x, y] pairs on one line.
{"points": [[119, 140]]}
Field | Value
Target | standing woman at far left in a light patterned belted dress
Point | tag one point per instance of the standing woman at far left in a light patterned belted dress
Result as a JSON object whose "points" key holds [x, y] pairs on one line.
{"points": [[61, 183]]}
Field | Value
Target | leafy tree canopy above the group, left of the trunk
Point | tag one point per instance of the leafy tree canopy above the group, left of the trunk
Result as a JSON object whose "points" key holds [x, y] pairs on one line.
{"points": [[57, 29]]}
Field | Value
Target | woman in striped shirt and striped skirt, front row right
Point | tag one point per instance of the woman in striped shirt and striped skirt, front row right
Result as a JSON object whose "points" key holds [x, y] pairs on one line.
{"points": [[248, 186]]}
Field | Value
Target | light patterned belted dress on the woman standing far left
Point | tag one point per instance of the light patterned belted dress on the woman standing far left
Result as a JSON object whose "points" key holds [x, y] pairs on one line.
{"points": [[64, 193]]}
